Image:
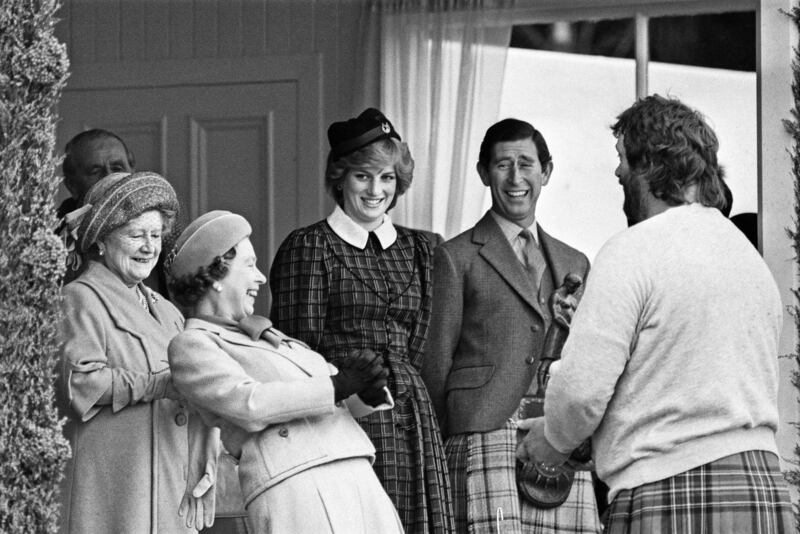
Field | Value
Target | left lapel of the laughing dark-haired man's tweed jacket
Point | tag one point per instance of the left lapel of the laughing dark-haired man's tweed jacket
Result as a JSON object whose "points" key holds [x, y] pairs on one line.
{"points": [[497, 251]]}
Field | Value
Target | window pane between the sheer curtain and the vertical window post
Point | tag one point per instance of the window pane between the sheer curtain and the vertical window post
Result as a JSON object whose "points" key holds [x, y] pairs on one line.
{"points": [[572, 96]]}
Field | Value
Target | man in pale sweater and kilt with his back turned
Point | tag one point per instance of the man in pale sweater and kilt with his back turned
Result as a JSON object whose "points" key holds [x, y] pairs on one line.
{"points": [[671, 364]]}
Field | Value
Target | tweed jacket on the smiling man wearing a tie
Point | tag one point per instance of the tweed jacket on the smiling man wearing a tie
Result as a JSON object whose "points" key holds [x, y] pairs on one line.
{"points": [[486, 321]]}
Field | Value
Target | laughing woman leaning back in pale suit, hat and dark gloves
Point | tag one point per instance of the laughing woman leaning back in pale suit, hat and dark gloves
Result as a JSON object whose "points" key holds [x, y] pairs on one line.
{"points": [[304, 463]]}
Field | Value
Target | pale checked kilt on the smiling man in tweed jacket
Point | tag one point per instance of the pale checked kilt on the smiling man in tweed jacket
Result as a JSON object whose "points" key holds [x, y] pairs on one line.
{"points": [[482, 470]]}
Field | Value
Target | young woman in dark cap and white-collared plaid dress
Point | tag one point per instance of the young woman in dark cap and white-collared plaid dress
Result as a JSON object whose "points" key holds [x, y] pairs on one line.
{"points": [[355, 280]]}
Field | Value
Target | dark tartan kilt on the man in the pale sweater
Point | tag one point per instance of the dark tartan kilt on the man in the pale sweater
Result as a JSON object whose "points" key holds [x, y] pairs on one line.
{"points": [[743, 493]]}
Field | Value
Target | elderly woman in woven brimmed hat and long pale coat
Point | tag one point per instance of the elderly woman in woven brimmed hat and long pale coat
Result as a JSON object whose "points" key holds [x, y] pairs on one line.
{"points": [[126, 424]]}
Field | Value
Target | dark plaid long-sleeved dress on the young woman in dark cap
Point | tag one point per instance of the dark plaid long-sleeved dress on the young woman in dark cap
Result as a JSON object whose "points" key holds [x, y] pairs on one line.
{"points": [[337, 297]]}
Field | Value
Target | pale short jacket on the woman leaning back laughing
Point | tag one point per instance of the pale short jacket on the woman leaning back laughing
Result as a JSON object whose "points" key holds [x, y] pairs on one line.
{"points": [[274, 404]]}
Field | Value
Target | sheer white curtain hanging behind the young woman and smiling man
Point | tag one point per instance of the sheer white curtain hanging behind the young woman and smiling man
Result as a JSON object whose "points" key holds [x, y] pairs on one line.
{"points": [[435, 68]]}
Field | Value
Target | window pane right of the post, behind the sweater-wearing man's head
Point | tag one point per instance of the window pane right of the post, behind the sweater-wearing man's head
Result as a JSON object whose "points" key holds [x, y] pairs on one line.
{"points": [[708, 62]]}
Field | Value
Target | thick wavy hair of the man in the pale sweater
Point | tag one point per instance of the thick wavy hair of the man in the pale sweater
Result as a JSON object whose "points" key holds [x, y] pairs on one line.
{"points": [[672, 146]]}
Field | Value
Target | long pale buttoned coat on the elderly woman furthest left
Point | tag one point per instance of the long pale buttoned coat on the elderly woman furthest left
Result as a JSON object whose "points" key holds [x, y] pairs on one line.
{"points": [[129, 458]]}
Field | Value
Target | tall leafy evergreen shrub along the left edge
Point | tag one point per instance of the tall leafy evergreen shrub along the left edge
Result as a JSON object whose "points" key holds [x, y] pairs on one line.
{"points": [[33, 71]]}
